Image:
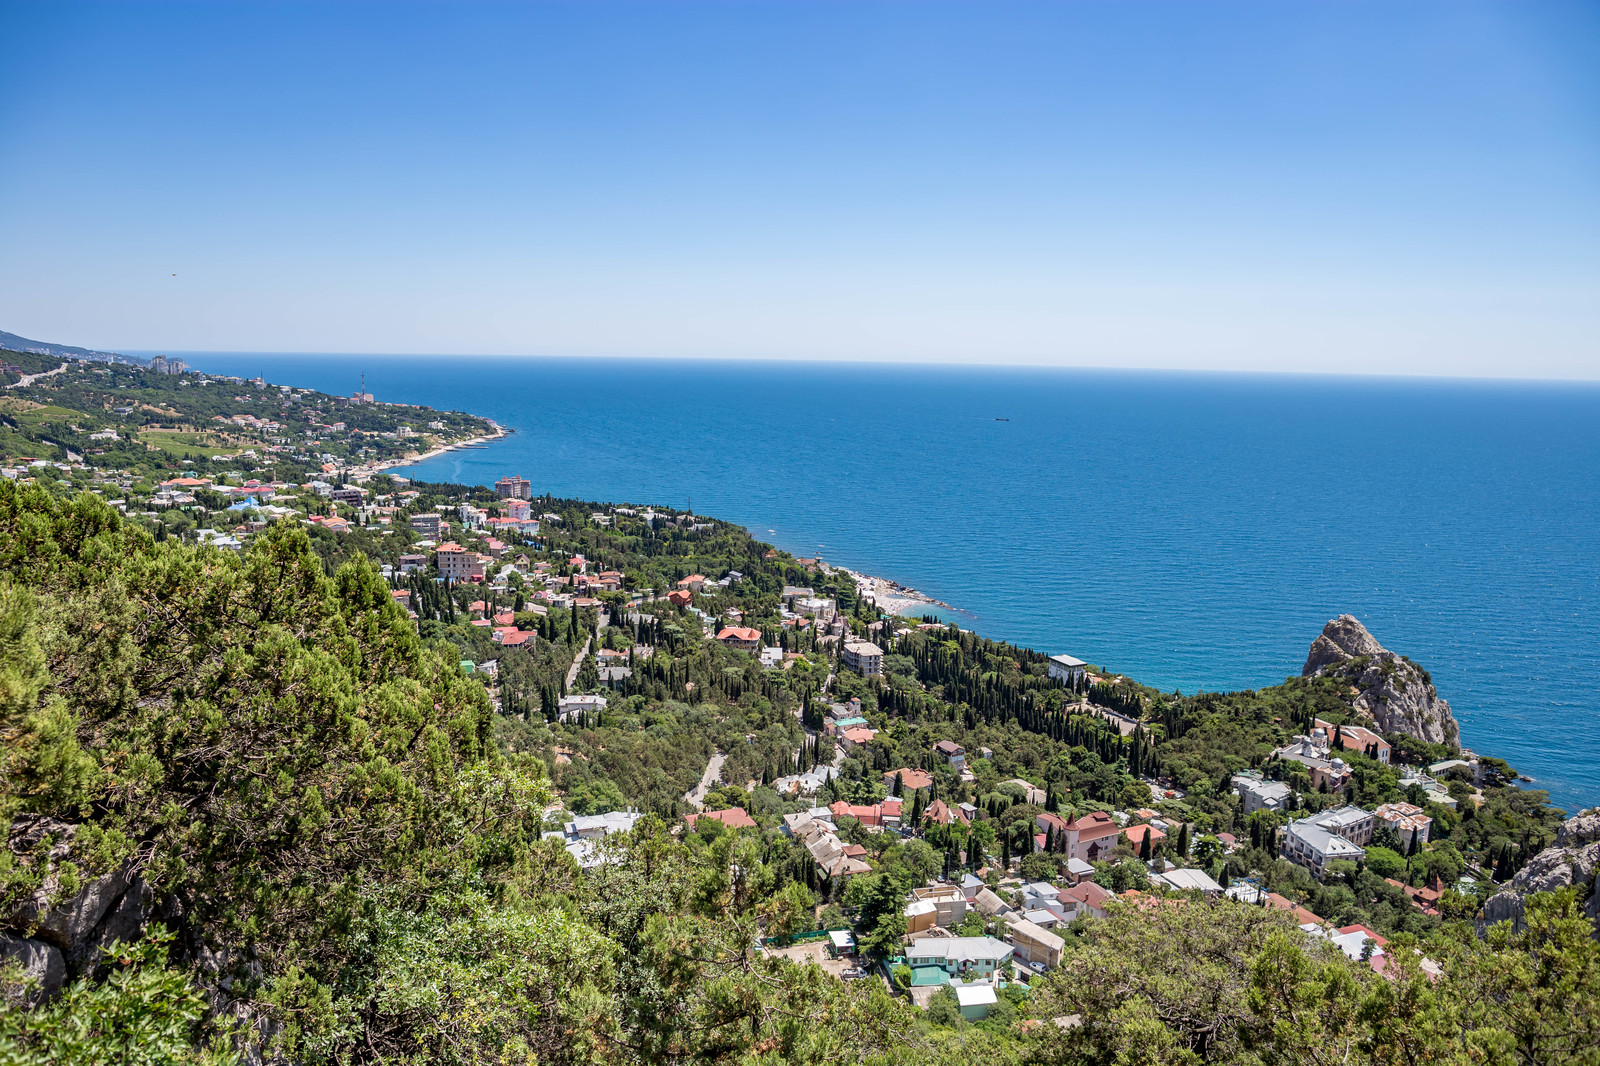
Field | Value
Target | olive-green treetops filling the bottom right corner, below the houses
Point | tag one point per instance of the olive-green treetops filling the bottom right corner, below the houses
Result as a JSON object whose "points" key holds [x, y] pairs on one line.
{"points": [[1225, 984]]}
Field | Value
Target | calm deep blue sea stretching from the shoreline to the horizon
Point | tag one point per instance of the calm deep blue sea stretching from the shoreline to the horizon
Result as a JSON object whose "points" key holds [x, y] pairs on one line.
{"points": [[1191, 531]]}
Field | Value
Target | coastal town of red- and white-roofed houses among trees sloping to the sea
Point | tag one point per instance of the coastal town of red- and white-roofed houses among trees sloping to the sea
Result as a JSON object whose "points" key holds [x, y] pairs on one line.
{"points": [[953, 816]]}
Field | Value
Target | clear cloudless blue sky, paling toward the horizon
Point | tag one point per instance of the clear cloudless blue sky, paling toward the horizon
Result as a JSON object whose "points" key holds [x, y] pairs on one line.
{"points": [[1378, 188]]}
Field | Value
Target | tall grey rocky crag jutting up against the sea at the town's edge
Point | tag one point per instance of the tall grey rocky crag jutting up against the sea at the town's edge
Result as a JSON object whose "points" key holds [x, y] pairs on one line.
{"points": [[1399, 695]]}
